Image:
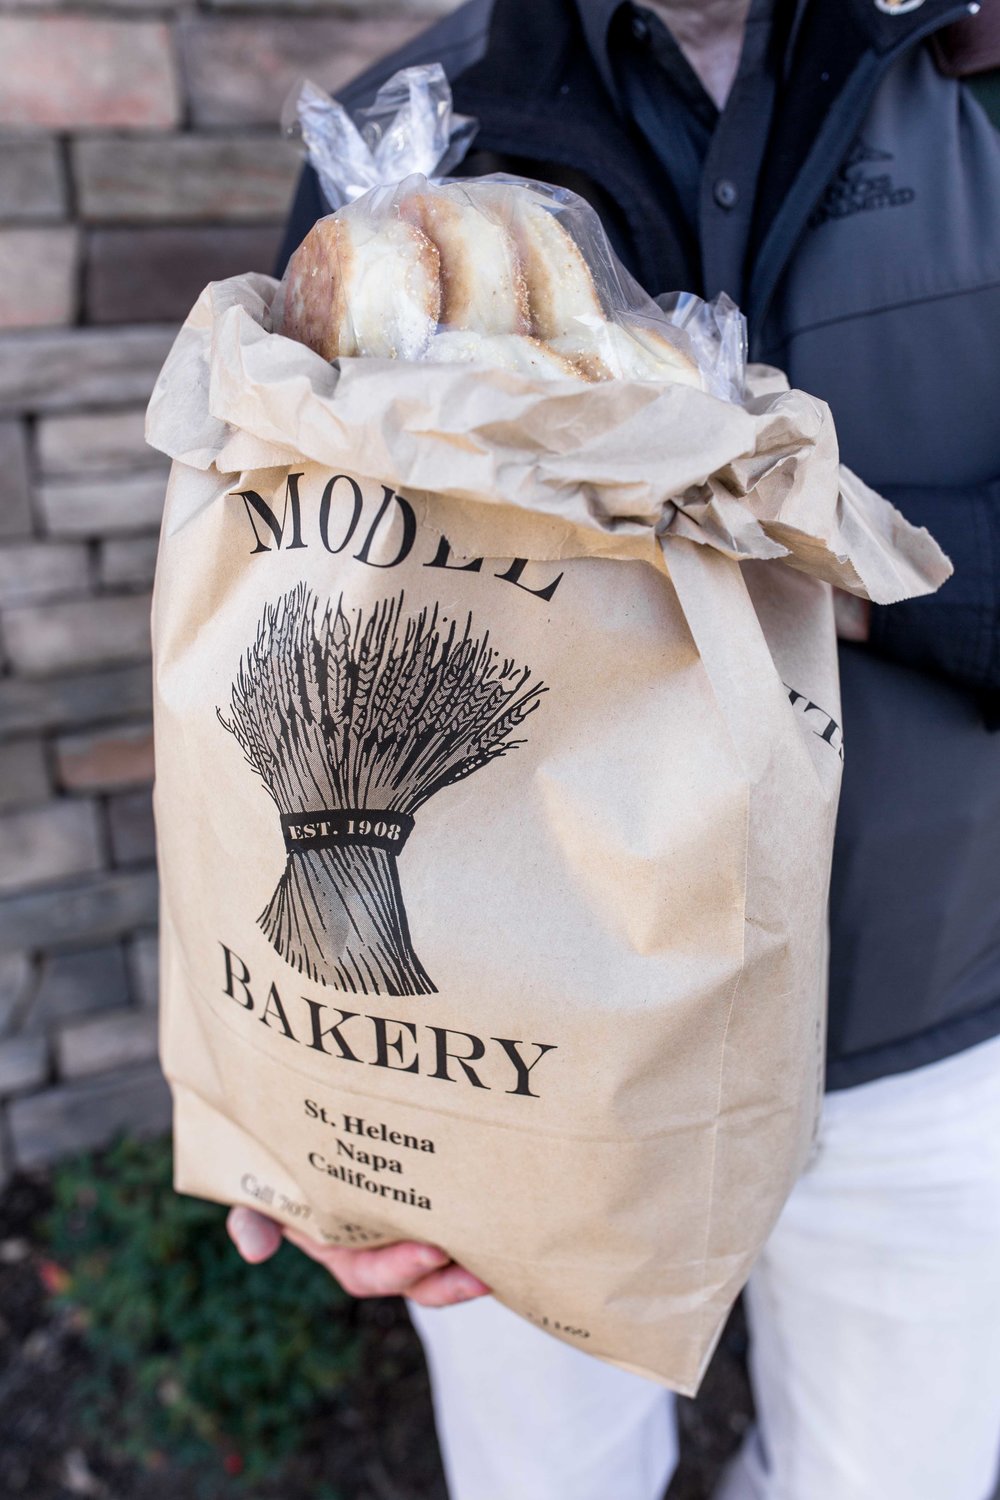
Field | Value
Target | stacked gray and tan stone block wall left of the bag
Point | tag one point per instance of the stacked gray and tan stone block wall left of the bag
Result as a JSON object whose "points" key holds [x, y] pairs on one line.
{"points": [[139, 160]]}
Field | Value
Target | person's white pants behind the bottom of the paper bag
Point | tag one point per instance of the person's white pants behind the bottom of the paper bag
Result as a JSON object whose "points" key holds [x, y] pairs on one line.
{"points": [[875, 1318]]}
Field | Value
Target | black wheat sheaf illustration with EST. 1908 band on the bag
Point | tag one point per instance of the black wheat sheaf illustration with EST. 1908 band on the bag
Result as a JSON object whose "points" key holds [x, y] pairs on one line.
{"points": [[353, 721]]}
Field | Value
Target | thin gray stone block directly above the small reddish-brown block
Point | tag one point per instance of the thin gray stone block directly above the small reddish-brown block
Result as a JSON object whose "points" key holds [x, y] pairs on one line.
{"points": [[70, 701]]}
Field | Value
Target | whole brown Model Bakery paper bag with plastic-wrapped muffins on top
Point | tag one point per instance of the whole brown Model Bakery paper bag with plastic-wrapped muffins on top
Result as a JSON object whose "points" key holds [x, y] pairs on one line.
{"points": [[499, 746]]}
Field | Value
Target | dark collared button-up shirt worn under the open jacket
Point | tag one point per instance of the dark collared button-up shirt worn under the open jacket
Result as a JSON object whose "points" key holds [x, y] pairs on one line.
{"points": [[711, 157]]}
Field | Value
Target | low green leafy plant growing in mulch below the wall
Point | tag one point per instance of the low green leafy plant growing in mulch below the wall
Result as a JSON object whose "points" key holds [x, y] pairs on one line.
{"points": [[197, 1357]]}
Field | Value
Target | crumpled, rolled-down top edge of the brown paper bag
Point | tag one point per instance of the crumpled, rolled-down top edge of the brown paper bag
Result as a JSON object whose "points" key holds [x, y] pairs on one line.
{"points": [[621, 458]]}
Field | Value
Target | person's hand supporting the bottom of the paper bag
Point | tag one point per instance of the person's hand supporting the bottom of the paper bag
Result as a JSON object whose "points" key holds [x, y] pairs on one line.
{"points": [[407, 1270]]}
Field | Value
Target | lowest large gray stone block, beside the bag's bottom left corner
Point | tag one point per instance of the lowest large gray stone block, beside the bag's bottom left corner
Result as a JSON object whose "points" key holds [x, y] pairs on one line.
{"points": [[88, 1115]]}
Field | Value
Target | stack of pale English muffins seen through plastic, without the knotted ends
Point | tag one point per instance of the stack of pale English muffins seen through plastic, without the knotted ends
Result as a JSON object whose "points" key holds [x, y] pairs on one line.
{"points": [[473, 272]]}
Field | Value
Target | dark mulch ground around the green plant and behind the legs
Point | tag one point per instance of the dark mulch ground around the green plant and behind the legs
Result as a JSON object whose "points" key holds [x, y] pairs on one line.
{"points": [[379, 1445]]}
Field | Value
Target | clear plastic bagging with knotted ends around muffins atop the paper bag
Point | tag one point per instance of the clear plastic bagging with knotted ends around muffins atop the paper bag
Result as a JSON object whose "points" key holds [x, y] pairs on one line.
{"points": [[497, 271]]}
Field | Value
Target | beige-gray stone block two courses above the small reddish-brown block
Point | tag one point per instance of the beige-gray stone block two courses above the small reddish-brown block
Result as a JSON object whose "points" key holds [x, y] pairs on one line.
{"points": [[82, 634]]}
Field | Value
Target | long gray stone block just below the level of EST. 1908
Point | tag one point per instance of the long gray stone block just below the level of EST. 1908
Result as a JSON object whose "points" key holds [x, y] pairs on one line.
{"points": [[89, 911]]}
